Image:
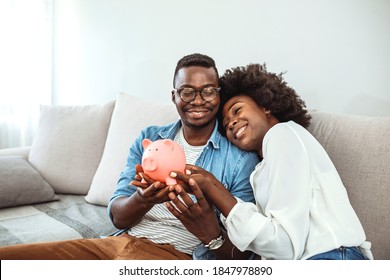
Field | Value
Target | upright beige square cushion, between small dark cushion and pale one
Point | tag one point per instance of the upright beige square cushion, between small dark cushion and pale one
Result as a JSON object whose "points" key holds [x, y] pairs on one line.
{"points": [[69, 144]]}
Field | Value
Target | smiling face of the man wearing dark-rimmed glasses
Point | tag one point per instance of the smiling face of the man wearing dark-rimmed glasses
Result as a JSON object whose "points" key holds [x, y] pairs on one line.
{"points": [[198, 113]]}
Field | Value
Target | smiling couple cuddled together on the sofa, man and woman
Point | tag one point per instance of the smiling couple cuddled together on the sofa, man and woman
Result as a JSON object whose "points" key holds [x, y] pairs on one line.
{"points": [[228, 205]]}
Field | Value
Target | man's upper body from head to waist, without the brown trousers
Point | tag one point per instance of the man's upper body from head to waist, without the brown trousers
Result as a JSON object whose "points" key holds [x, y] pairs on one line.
{"points": [[196, 96]]}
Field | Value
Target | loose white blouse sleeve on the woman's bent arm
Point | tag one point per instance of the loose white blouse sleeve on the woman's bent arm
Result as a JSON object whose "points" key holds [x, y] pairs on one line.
{"points": [[276, 229]]}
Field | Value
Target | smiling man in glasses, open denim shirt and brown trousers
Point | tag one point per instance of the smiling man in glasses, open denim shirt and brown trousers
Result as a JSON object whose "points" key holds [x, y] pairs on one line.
{"points": [[152, 232]]}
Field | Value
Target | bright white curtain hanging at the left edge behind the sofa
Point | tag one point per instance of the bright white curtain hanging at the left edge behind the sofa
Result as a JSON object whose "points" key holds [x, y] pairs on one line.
{"points": [[25, 68]]}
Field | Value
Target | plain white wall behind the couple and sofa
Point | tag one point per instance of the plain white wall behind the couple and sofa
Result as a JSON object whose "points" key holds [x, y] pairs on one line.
{"points": [[336, 53]]}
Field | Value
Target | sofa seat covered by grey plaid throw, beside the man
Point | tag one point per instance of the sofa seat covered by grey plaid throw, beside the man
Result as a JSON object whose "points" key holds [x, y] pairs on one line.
{"points": [[71, 217]]}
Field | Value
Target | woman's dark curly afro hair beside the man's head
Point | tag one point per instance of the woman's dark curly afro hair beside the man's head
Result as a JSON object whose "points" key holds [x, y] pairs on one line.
{"points": [[268, 90]]}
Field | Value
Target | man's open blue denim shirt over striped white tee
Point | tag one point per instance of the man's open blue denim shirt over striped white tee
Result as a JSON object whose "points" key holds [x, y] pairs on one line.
{"points": [[230, 165]]}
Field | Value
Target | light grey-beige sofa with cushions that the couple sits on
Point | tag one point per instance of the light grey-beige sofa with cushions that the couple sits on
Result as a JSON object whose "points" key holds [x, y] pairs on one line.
{"points": [[80, 151]]}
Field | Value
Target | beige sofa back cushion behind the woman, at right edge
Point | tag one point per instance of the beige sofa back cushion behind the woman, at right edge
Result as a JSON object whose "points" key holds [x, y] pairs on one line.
{"points": [[359, 148]]}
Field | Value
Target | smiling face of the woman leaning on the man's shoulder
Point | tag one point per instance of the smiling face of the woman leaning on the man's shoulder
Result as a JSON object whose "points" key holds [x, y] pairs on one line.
{"points": [[246, 123]]}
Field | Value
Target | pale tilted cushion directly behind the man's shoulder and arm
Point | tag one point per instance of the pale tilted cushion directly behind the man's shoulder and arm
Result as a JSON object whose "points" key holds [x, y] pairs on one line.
{"points": [[130, 116]]}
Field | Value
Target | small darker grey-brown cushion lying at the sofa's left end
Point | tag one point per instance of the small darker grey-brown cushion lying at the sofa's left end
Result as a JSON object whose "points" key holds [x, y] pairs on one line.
{"points": [[21, 184]]}
